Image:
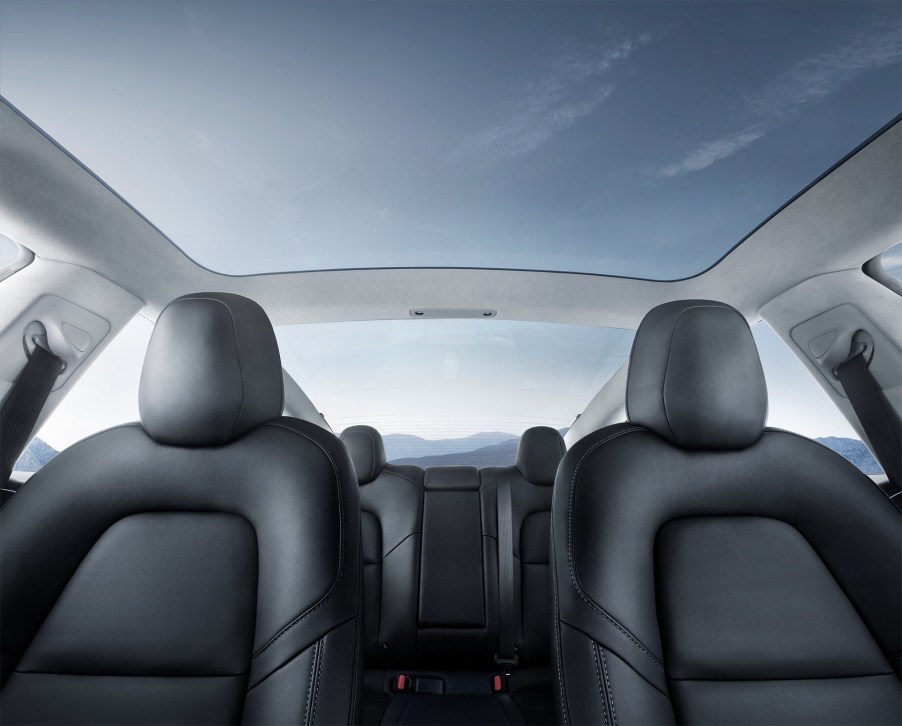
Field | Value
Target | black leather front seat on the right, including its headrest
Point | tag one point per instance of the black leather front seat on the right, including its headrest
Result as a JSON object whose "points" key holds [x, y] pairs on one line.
{"points": [[709, 570]]}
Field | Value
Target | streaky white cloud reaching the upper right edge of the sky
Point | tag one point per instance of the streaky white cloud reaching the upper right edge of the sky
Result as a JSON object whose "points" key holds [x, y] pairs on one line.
{"points": [[876, 45]]}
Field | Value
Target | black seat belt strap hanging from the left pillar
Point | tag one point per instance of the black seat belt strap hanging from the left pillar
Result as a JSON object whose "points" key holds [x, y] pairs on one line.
{"points": [[22, 406]]}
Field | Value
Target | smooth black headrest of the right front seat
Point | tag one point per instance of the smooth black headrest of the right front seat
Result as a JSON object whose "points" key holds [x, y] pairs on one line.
{"points": [[695, 377]]}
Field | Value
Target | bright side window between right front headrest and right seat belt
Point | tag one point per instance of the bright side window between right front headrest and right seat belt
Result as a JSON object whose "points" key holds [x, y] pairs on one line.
{"points": [[796, 402]]}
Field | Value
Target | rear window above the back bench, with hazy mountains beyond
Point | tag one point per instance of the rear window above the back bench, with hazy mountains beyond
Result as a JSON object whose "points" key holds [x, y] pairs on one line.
{"points": [[451, 391]]}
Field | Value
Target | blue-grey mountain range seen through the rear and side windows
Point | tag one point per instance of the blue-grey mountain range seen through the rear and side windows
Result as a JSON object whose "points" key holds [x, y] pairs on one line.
{"points": [[493, 448]]}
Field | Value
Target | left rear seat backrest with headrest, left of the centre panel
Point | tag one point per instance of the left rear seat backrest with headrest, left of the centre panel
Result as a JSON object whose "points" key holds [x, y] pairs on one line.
{"points": [[391, 504]]}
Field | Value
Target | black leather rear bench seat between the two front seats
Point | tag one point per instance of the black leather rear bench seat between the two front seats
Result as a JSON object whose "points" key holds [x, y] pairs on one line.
{"points": [[431, 586]]}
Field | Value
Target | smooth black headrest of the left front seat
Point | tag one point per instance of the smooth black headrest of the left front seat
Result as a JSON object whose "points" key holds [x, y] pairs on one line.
{"points": [[212, 371]]}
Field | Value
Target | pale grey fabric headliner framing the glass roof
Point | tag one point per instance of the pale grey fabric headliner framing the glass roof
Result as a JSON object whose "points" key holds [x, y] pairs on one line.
{"points": [[52, 205]]}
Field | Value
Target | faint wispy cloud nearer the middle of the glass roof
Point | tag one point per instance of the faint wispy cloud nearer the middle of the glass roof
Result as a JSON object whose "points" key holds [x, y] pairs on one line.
{"points": [[572, 87]]}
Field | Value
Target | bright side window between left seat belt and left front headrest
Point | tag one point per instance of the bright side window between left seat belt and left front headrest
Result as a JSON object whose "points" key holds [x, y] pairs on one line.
{"points": [[105, 395]]}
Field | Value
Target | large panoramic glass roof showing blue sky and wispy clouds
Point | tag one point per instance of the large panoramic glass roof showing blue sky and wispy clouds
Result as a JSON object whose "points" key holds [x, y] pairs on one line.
{"points": [[636, 139]]}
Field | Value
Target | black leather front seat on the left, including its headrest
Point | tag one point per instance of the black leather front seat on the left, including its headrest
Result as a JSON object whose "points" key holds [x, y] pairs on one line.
{"points": [[200, 567]]}
